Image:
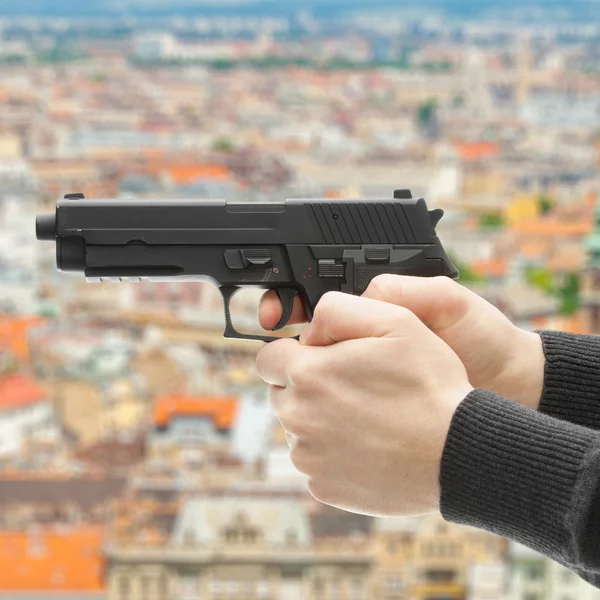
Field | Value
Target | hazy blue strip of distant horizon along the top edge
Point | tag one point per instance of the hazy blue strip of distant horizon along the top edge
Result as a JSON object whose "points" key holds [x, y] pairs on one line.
{"points": [[461, 8]]}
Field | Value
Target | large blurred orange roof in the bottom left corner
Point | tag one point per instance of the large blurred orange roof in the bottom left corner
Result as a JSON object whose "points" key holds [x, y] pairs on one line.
{"points": [[52, 561]]}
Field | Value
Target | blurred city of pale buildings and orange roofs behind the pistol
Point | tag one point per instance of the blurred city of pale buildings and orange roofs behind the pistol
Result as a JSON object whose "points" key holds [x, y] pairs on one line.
{"points": [[139, 458]]}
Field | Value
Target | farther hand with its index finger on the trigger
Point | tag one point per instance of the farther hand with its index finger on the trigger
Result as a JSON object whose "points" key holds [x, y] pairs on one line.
{"points": [[498, 355]]}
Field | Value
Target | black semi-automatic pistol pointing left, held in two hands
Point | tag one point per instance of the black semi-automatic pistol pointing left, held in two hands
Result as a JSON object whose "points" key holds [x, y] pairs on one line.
{"points": [[299, 247]]}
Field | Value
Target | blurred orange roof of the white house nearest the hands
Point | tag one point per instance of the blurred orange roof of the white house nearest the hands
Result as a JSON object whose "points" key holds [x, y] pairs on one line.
{"points": [[221, 410]]}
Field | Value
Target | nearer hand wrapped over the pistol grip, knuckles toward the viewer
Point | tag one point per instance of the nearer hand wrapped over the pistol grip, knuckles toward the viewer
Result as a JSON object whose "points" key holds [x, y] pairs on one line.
{"points": [[367, 396]]}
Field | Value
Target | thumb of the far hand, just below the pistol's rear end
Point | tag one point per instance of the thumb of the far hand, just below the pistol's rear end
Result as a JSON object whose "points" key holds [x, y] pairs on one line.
{"points": [[438, 302]]}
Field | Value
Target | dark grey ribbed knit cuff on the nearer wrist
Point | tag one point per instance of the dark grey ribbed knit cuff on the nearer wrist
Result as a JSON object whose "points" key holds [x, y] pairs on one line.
{"points": [[511, 471]]}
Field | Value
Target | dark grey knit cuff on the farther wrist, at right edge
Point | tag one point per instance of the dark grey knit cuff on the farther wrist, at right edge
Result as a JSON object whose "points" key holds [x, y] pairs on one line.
{"points": [[572, 378]]}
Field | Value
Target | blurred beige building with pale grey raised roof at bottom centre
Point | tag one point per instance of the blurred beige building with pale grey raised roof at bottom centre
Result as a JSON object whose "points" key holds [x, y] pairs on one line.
{"points": [[239, 547]]}
